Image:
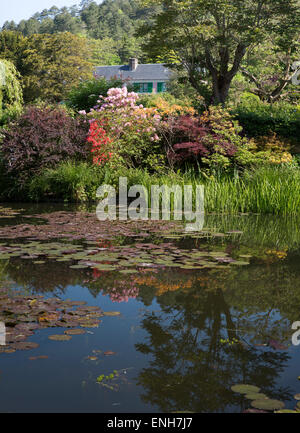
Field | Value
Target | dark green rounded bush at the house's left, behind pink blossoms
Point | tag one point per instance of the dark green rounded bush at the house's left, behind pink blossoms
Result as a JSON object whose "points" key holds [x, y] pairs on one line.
{"points": [[85, 95]]}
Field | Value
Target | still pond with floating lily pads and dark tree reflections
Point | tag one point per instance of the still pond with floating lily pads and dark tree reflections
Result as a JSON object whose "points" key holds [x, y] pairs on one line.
{"points": [[136, 317]]}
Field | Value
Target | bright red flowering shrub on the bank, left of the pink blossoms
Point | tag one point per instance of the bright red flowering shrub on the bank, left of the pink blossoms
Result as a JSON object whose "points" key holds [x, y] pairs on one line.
{"points": [[100, 143]]}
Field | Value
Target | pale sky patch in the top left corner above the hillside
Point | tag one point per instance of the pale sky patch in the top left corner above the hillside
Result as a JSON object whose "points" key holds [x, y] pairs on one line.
{"points": [[17, 10]]}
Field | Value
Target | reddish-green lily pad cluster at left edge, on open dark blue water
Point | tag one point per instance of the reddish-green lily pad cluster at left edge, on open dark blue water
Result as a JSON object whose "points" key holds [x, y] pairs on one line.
{"points": [[23, 315]]}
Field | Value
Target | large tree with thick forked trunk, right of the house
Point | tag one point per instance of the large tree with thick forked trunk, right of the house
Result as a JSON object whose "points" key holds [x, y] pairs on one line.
{"points": [[214, 35]]}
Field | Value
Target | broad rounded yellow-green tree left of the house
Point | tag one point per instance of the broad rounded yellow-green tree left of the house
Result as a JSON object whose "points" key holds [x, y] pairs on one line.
{"points": [[53, 64]]}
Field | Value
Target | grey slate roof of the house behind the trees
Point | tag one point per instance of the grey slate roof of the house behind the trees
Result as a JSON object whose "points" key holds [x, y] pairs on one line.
{"points": [[149, 71]]}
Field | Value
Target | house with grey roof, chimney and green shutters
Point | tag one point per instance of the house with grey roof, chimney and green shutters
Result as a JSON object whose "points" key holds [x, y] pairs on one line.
{"points": [[146, 78]]}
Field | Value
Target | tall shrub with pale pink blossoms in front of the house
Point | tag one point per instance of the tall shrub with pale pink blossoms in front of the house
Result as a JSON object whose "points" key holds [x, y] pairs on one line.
{"points": [[131, 128]]}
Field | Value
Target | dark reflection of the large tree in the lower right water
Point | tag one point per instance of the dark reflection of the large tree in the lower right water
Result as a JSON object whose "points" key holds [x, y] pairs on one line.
{"points": [[191, 368]]}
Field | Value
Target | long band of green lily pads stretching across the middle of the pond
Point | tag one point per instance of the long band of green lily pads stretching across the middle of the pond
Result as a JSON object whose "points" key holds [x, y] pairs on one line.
{"points": [[124, 258]]}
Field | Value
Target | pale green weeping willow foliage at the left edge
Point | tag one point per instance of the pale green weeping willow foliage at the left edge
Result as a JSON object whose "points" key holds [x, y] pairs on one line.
{"points": [[11, 97]]}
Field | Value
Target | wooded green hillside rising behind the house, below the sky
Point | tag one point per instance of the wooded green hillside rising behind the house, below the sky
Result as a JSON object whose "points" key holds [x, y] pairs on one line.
{"points": [[113, 22]]}
